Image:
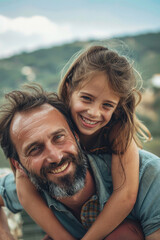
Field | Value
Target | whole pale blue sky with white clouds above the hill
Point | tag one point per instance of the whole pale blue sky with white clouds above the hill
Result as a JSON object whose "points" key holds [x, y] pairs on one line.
{"points": [[27, 25]]}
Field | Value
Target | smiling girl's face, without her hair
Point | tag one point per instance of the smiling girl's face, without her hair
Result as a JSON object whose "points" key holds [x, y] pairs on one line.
{"points": [[93, 104]]}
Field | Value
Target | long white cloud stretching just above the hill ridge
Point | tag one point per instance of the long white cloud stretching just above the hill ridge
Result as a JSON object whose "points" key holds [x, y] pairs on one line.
{"points": [[30, 33]]}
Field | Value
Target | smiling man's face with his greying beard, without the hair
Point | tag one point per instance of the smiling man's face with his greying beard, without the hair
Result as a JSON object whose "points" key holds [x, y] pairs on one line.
{"points": [[48, 151]]}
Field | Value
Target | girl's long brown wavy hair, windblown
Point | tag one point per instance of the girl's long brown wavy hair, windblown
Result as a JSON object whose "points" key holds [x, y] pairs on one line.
{"points": [[123, 79]]}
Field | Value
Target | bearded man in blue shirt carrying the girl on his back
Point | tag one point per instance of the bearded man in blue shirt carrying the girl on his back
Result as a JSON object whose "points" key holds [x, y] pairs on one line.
{"points": [[35, 133]]}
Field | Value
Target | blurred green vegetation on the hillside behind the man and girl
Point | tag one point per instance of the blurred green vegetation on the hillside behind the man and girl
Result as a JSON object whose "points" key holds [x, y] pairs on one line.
{"points": [[44, 66]]}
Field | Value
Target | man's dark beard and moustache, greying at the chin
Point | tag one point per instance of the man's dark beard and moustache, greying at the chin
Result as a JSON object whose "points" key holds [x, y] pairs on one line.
{"points": [[67, 185]]}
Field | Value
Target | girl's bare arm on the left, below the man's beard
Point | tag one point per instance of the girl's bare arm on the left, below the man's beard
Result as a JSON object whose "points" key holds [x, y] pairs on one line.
{"points": [[38, 210]]}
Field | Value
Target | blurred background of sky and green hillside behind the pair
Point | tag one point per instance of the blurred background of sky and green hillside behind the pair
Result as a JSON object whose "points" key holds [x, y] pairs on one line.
{"points": [[38, 37]]}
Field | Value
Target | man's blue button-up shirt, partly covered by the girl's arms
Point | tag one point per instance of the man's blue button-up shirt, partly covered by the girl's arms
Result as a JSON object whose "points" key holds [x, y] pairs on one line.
{"points": [[146, 209]]}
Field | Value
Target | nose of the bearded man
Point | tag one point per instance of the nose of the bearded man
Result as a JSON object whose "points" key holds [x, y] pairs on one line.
{"points": [[53, 154]]}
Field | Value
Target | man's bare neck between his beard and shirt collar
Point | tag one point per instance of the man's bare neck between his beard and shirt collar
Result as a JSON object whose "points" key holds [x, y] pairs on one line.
{"points": [[76, 202]]}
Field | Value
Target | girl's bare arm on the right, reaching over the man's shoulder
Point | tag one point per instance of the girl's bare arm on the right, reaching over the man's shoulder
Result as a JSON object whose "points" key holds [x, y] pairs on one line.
{"points": [[123, 198]]}
